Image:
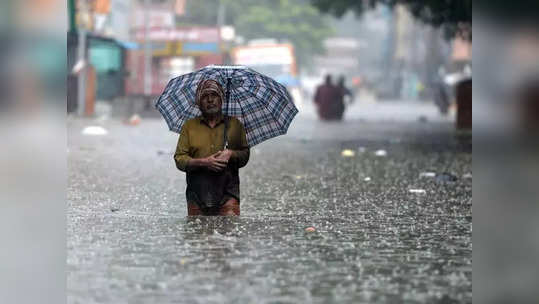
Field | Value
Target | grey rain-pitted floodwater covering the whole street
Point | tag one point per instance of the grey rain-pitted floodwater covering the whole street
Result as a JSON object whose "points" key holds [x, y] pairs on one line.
{"points": [[374, 240]]}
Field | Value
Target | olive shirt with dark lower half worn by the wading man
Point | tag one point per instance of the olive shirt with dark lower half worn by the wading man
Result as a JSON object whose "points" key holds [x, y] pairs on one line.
{"points": [[199, 140]]}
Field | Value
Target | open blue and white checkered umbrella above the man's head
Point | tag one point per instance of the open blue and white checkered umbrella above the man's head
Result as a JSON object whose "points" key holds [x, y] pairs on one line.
{"points": [[263, 105]]}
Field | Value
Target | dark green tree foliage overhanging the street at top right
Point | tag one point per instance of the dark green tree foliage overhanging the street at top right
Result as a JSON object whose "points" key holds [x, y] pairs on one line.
{"points": [[454, 16]]}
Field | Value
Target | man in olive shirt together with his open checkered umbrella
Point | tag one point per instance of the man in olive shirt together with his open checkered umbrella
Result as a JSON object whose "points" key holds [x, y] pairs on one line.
{"points": [[220, 112]]}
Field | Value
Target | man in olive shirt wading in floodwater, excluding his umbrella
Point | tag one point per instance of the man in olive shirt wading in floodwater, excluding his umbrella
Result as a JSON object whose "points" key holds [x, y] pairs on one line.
{"points": [[213, 183]]}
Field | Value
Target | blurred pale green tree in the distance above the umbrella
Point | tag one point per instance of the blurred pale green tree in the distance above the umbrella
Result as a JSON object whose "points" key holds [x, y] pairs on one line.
{"points": [[296, 21]]}
